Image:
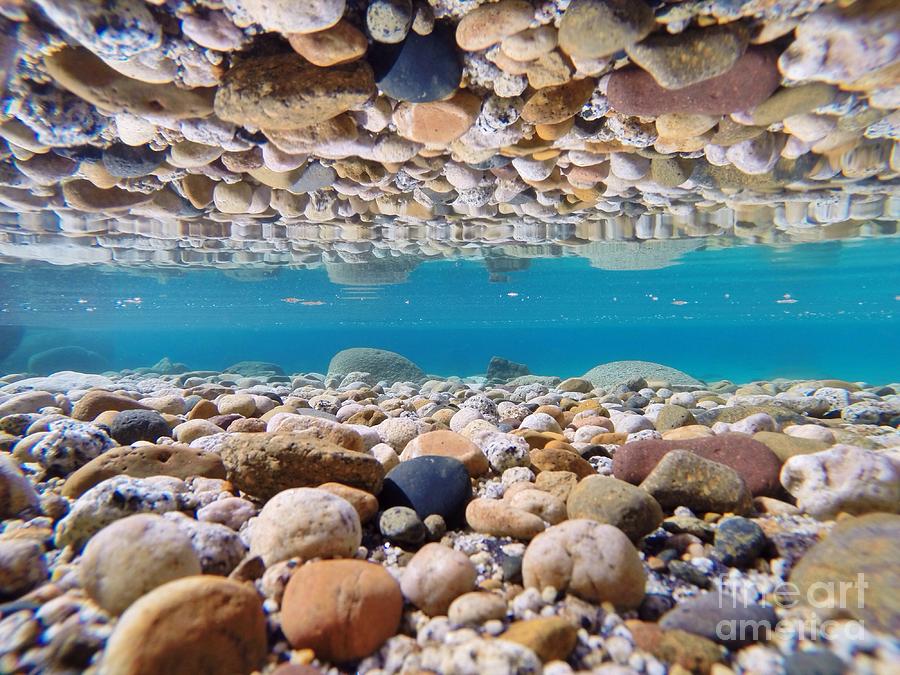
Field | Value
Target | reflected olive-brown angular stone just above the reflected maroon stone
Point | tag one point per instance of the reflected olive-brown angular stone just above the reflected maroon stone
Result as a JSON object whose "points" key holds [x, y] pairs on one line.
{"points": [[692, 56]]}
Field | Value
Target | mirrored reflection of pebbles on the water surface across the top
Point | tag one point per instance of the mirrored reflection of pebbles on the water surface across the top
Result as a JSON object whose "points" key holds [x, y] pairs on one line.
{"points": [[252, 132]]}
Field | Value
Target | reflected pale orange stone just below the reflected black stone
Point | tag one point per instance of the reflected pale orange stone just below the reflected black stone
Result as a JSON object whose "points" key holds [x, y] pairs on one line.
{"points": [[437, 123]]}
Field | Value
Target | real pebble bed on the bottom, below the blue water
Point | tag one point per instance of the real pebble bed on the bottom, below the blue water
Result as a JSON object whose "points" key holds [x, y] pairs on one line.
{"points": [[378, 519]]}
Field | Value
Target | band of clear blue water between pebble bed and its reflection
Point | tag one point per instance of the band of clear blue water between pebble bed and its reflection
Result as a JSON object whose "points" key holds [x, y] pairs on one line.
{"points": [[740, 313]]}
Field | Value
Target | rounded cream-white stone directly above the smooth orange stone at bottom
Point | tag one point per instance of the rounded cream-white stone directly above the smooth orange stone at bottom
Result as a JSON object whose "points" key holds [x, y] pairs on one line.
{"points": [[305, 523]]}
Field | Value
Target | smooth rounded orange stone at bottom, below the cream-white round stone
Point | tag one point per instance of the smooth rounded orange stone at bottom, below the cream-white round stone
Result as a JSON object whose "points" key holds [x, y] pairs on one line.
{"points": [[329, 606]]}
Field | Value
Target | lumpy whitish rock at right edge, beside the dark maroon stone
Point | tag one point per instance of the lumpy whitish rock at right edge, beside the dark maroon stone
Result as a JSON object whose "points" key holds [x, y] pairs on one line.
{"points": [[843, 478]]}
